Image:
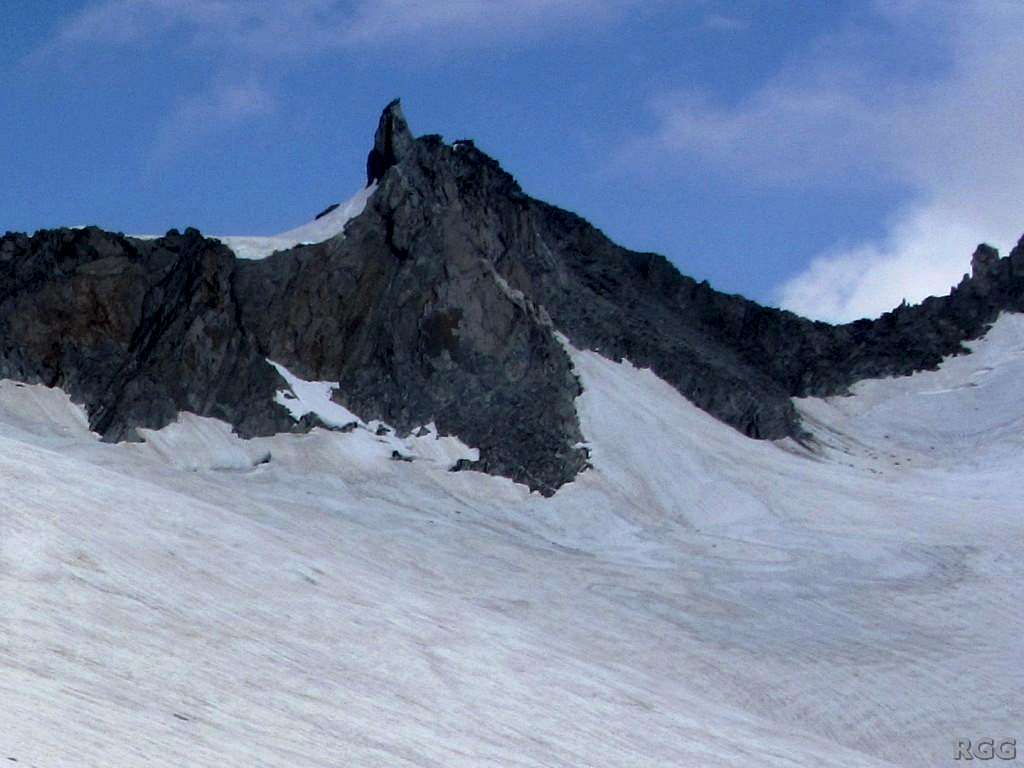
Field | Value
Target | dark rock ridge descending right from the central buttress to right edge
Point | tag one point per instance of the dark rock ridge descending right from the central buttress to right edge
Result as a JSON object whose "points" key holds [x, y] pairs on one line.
{"points": [[738, 360]]}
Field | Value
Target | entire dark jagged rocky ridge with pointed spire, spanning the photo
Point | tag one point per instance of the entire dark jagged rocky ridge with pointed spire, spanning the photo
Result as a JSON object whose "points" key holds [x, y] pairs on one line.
{"points": [[442, 304]]}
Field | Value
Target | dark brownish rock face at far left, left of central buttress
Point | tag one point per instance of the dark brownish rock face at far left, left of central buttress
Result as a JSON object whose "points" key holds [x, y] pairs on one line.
{"points": [[138, 331]]}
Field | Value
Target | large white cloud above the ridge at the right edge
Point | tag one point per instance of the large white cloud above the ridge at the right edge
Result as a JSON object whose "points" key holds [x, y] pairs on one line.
{"points": [[952, 137]]}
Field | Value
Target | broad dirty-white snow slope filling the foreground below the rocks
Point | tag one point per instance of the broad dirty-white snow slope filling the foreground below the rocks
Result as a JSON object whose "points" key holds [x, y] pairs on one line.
{"points": [[698, 600]]}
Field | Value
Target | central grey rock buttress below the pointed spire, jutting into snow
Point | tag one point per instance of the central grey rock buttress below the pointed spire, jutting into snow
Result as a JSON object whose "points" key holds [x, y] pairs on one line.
{"points": [[410, 316]]}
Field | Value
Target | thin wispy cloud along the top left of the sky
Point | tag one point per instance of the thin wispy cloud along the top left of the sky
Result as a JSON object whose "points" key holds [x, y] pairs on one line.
{"points": [[261, 36]]}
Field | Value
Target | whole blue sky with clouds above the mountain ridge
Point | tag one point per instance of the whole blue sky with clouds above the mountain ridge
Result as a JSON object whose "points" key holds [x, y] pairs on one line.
{"points": [[830, 157]]}
